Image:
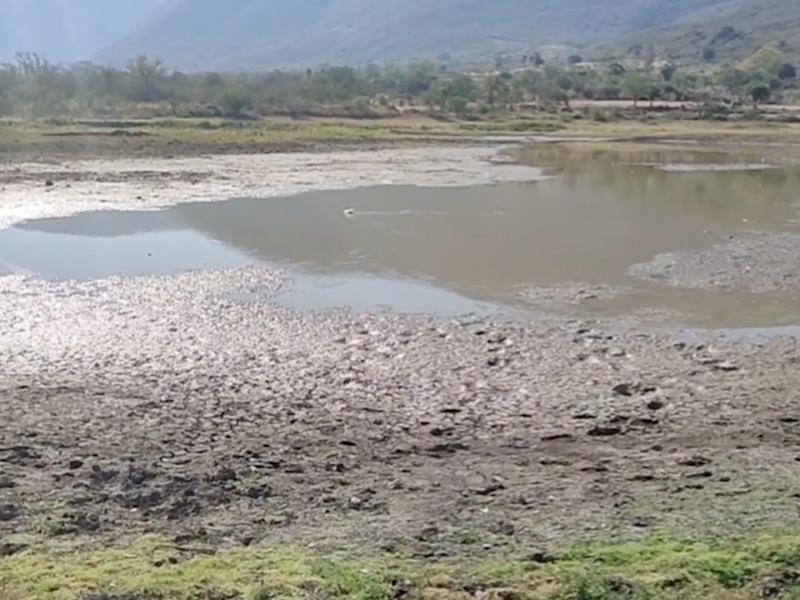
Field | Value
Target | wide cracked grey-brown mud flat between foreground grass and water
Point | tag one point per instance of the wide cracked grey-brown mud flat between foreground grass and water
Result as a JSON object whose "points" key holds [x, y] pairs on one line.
{"points": [[153, 405]]}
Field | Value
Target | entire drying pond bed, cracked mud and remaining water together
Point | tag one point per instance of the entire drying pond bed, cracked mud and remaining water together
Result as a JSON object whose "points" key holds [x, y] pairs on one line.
{"points": [[440, 350]]}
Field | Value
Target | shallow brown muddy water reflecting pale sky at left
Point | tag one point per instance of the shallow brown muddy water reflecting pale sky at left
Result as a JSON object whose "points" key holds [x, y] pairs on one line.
{"points": [[547, 243]]}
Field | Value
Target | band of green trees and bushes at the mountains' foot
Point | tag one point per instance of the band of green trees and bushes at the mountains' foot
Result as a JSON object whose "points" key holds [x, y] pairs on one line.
{"points": [[31, 86]]}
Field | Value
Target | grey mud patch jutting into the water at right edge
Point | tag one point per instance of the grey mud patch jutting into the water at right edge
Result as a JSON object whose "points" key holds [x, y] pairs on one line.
{"points": [[752, 261]]}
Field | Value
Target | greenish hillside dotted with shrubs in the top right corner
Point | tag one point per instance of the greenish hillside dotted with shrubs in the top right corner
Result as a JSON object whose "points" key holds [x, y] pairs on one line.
{"points": [[733, 30]]}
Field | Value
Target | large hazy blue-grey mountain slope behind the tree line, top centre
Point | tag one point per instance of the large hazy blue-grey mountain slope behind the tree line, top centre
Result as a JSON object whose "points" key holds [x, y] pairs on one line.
{"points": [[217, 34]]}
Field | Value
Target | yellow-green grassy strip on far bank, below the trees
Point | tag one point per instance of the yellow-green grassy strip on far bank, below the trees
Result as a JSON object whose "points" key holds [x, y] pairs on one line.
{"points": [[64, 139]]}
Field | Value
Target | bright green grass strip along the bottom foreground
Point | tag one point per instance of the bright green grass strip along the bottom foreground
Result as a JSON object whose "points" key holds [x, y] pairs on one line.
{"points": [[151, 568]]}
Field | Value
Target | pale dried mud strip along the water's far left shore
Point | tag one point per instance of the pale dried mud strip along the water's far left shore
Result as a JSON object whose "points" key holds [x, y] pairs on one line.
{"points": [[31, 190]]}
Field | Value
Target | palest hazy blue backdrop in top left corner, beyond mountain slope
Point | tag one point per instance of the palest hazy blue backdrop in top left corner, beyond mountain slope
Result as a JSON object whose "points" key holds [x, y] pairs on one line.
{"points": [[68, 30]]}
